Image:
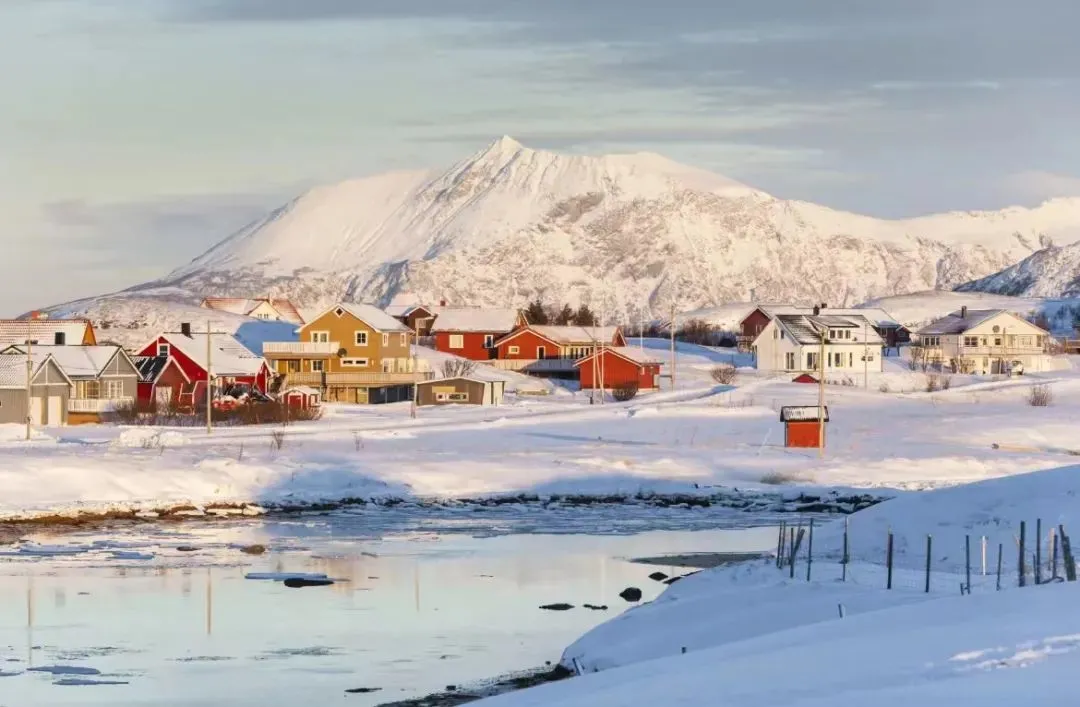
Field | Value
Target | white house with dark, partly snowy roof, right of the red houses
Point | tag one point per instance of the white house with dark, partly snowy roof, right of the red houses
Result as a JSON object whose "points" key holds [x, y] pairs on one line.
{"points": [[792, 343]]}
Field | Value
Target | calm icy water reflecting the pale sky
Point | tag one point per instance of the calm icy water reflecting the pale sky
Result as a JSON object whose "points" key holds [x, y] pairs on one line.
{"points": [[423, 603]]}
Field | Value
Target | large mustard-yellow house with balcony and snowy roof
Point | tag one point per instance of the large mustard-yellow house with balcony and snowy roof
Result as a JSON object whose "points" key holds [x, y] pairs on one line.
{"points": [[353, 353]]}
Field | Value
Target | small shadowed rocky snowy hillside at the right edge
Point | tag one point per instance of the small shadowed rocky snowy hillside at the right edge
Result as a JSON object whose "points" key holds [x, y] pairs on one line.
{"points": [[1051, 273]]}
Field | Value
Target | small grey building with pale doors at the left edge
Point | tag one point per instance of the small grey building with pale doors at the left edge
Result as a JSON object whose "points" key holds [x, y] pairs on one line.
{"points": [[50, 391]]}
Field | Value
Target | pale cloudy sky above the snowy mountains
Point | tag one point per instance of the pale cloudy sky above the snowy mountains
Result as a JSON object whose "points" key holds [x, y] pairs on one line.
{"points": [[136, 134]]}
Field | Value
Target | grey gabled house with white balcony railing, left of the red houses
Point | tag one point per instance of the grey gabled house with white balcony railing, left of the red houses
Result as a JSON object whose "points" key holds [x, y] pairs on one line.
{"points": [[104, 377]]}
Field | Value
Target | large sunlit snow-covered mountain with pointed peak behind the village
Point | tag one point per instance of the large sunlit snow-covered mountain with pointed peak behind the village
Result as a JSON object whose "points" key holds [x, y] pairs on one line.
{"points": [[630, 235]]}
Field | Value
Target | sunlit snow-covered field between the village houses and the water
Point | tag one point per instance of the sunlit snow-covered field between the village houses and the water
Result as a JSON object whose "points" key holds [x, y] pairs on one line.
{"points": [[889, 434]]}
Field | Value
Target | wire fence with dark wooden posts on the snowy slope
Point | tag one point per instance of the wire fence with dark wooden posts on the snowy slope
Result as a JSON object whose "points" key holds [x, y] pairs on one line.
{"points": [[1028, 555]]}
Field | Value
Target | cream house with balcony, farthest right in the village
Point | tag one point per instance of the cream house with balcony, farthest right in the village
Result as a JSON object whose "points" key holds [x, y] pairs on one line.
{"points": [[984, 342]]}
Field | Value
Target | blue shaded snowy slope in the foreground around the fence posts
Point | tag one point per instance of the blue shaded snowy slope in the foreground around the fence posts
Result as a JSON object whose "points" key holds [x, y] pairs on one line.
{"points": [[755, 636]]}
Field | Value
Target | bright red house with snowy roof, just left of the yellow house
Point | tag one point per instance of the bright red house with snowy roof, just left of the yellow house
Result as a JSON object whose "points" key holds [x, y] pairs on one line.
{"points": [[229, 362]]}
